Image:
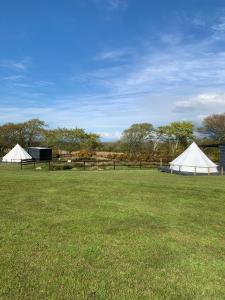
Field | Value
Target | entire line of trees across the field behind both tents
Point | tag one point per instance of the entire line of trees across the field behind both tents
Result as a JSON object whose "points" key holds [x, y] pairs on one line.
{"points": [[139, 141]]}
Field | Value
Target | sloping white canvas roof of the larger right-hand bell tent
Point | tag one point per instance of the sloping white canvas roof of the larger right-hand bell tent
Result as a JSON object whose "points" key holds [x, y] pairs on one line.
{"points": [[193, 157]]}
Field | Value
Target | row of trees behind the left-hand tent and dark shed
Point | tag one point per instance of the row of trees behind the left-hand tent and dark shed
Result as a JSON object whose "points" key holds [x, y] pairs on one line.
{"points": [[35, 132]]}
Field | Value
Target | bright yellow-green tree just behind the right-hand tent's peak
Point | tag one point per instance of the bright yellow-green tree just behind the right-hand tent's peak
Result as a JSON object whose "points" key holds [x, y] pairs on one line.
{"points": [[176, 133]]}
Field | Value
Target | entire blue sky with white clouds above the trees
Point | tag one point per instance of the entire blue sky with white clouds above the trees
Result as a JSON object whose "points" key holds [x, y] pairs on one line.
{"points": [[105, 64]]}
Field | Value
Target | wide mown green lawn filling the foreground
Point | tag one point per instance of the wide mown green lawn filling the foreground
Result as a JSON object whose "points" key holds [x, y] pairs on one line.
{"points": [[126, 234]]}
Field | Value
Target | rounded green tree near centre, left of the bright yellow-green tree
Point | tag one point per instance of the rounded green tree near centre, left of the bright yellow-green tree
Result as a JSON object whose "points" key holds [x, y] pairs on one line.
{"points": [[136, 136]]}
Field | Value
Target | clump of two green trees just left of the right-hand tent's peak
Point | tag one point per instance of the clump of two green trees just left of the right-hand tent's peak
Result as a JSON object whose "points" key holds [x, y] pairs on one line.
{"points": [[144, 142]]}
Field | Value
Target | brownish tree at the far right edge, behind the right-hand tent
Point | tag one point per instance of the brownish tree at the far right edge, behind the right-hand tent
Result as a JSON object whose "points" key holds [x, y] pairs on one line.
{"points": [[213, 127]]}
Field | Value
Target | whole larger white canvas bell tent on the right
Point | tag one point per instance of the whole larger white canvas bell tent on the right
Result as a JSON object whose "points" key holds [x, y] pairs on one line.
{"points": [[193, 160]]}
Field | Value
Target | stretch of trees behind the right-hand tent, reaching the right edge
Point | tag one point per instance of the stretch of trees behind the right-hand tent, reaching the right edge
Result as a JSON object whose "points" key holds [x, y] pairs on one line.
{"points": [[145, 140]]}
